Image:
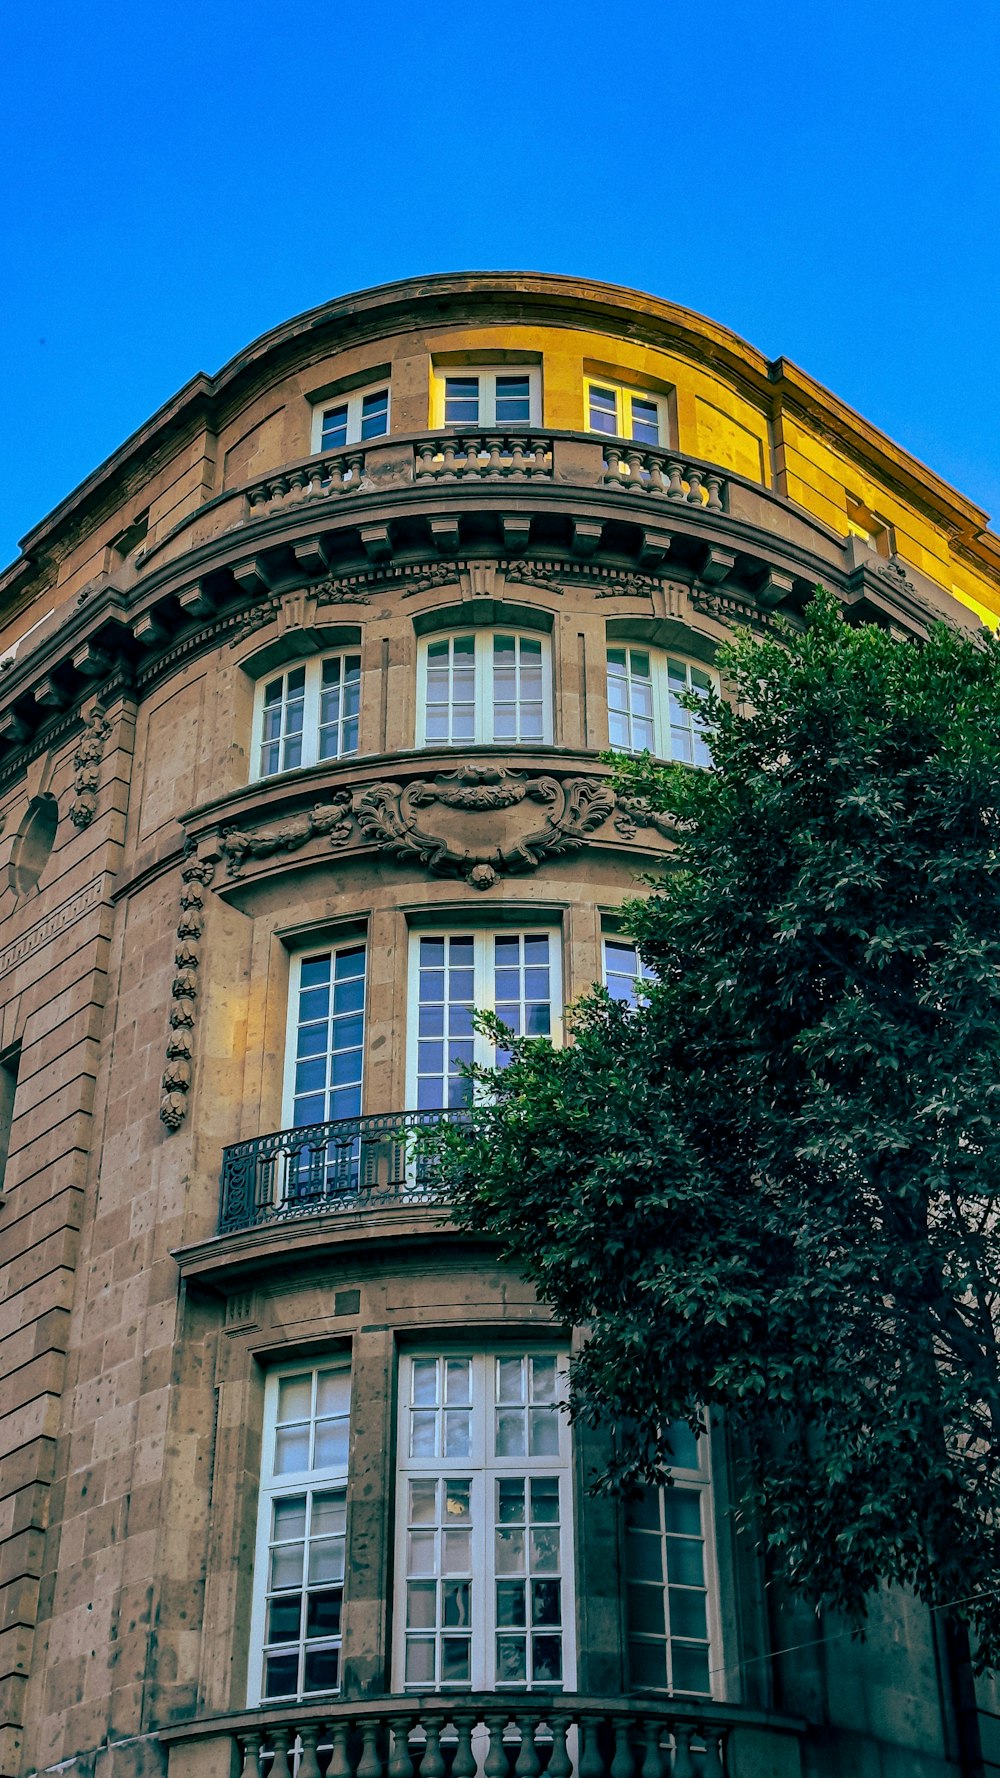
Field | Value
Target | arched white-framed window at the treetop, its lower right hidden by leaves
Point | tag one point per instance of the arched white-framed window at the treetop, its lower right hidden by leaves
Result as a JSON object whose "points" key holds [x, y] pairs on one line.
{"points": [[643, 689]]}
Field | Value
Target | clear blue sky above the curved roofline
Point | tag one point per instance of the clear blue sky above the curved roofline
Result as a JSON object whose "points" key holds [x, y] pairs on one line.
{"points": [[179, 179]]}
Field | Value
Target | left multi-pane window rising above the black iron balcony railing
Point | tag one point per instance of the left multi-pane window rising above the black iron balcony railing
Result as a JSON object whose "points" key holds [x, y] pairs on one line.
{"points": [[327, 1036]]}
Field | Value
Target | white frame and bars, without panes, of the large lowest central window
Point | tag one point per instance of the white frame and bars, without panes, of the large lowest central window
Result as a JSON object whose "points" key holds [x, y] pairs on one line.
{"points": [[485, 1470]]}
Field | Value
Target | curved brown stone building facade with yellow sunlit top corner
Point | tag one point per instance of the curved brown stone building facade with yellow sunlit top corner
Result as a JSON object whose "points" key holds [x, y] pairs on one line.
{"points": [[303, 701]]}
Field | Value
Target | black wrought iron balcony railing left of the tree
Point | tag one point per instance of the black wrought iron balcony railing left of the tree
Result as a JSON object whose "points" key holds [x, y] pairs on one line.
{"points": [[353, 1164]]}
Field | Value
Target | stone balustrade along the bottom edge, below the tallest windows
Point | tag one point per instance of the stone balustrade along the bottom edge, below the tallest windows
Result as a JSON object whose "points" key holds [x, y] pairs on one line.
{"points": [[496, 1736]]}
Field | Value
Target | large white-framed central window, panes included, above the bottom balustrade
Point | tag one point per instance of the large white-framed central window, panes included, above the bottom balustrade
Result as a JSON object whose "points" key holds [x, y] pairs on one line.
{"points": [[485, 1523]]}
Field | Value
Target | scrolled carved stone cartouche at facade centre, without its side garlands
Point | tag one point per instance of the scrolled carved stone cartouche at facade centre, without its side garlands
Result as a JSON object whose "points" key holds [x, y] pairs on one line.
{"points": [[574, 808]]}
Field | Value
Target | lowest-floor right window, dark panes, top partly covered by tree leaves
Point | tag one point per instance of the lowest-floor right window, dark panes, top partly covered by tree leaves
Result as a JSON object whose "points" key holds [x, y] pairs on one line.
{"points": [[670, 1562]]}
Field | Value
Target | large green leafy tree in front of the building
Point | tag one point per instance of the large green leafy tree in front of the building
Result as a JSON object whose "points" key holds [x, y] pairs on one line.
{"points": [[773, 1185]]}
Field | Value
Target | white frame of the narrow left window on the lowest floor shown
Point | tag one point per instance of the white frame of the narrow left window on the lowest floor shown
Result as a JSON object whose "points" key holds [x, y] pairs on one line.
{"points": [[309, 1482]]}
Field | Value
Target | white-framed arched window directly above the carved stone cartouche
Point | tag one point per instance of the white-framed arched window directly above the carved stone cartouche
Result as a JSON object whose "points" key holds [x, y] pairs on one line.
{"points": [[485, 685]]}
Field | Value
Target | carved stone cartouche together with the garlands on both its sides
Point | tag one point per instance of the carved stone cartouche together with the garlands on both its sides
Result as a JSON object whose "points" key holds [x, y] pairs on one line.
{"points": [[480, 822]]}
